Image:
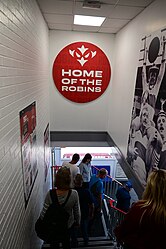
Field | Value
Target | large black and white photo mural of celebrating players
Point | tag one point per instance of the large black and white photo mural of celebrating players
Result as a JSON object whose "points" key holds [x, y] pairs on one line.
{"points": [[147, 136]]}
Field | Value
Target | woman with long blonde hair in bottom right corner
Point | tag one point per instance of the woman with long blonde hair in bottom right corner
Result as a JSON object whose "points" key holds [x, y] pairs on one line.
{"points": [[144, 226]]}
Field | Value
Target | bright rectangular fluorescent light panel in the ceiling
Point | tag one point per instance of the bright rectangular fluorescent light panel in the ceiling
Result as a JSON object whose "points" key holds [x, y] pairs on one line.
{"points": [[88, 20]]}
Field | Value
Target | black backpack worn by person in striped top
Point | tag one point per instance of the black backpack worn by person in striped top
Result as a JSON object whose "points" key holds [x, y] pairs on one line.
{"points": [[54, 225]]}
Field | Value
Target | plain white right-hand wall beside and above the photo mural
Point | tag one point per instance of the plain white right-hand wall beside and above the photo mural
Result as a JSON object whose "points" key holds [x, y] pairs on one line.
{"points": [[128, 42]]}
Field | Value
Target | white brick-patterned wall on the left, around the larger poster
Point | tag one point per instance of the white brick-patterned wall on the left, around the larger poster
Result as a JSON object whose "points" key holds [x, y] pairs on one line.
{"points": [[24, 78]]}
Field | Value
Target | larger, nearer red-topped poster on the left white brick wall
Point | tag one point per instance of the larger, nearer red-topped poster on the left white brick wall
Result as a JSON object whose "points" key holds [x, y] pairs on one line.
{"points": [[28, 148]]}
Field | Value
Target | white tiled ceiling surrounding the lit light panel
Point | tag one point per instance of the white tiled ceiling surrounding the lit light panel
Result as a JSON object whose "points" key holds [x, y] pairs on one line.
{"points": [[59, 14]]}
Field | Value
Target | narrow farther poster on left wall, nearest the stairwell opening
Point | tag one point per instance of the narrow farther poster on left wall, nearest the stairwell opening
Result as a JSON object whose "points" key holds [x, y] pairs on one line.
{"points": [[46, 151]]}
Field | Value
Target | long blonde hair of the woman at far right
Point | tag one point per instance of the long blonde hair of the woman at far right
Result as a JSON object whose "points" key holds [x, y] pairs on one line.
{"points": [[154, 196]]}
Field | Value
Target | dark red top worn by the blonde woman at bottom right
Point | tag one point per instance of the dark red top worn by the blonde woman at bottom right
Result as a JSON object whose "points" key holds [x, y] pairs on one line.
{"points": [[141, 234]]}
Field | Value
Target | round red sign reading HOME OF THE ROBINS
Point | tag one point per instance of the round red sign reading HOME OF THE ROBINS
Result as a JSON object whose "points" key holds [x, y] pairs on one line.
{"points": [[81, 72]]}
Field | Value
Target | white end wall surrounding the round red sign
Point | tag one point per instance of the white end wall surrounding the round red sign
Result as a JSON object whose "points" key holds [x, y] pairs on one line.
{"points": [[70, 116]]}
